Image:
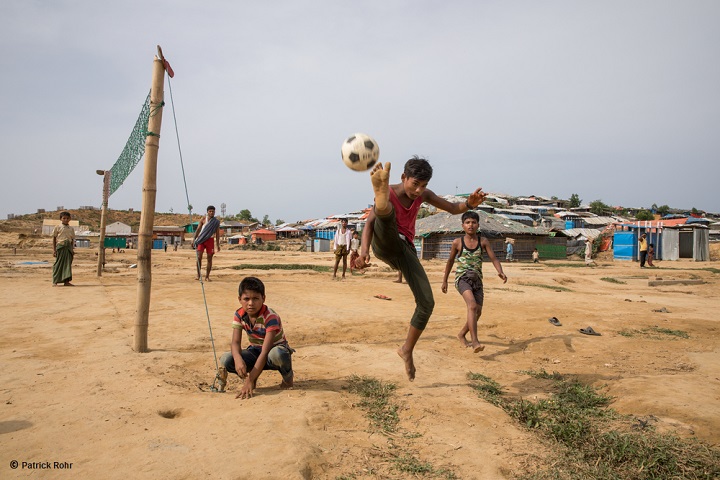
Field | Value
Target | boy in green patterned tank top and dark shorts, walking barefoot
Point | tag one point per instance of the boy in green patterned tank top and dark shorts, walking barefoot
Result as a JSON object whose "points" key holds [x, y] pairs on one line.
{"points": [[468, 276]]}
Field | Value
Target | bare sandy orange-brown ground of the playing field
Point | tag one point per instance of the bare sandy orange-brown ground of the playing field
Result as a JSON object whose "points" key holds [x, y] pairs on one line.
{"points": [[75, 392]]}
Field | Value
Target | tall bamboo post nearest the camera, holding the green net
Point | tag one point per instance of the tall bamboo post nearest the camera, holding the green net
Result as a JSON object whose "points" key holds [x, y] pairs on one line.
{"points": [[147, 215]]}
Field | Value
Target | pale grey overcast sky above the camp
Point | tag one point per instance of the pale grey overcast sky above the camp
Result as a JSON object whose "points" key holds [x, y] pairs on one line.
{"points": [[617, 101]]}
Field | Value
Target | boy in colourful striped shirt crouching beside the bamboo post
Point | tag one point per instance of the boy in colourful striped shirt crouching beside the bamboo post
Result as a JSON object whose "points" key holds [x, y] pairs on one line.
{"points": [[268, 348]]}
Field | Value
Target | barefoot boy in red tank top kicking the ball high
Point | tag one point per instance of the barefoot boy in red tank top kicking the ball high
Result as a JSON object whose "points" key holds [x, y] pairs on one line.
{"points": [[390, 229]]}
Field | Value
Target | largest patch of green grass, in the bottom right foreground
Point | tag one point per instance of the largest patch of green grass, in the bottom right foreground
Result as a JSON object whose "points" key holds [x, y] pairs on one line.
{"points": [[596, 442]]}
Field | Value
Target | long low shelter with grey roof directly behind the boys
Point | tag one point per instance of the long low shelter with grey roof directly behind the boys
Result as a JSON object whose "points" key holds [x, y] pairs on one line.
{"points": [[434, 236]]}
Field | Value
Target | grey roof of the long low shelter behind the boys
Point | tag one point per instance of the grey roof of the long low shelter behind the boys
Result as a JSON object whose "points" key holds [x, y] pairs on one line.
{"points": [[490, 225]]}
